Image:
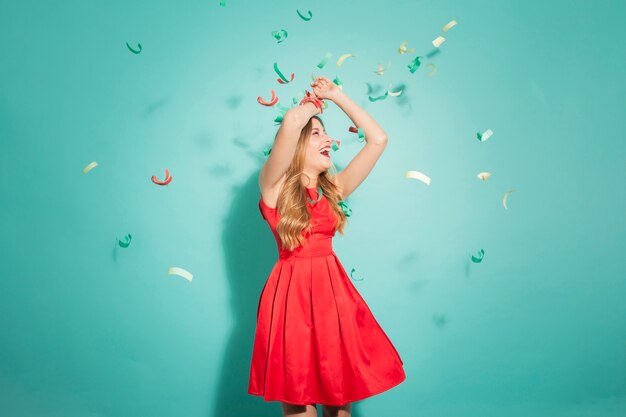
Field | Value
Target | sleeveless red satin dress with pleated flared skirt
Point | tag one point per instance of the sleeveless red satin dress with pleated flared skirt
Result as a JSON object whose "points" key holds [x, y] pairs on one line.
{"points": [[316, 340]]}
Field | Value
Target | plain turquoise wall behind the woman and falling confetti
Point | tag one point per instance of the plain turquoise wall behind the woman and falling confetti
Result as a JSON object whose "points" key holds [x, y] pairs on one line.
{"points": [[88, 328]]}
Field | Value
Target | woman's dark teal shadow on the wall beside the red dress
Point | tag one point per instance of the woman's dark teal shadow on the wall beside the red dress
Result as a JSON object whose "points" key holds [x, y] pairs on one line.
{"points": [[250, 253]]}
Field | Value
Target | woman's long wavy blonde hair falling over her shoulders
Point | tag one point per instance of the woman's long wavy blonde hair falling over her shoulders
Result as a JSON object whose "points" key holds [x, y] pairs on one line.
{"points": [[291, 204]]}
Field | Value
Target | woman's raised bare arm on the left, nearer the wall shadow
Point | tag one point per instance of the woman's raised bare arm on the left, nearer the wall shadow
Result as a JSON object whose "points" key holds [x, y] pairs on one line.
{"points": [[284, 146]]}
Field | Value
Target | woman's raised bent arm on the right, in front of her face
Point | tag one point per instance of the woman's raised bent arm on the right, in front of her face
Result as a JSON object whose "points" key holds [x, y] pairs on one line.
{"points": [[375, 137]]}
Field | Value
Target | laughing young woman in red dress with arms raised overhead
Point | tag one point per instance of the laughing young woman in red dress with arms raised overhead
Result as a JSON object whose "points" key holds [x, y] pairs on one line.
{"points": [[316, 340]]}
